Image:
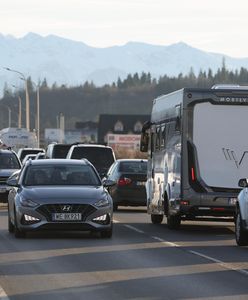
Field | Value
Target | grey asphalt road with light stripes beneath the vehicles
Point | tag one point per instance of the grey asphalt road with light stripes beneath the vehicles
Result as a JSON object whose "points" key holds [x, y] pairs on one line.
{"points": [[141, 261]]}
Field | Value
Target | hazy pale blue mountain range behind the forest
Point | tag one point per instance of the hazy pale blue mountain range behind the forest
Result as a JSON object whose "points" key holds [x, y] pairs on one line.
{"points": [[72, 63]]}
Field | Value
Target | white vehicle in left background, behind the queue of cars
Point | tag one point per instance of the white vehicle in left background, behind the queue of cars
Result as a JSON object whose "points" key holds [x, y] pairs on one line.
{"points": [[17, 138]]}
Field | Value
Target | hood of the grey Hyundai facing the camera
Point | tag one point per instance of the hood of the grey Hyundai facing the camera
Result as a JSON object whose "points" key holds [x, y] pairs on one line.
{"points": [[61, 194]]}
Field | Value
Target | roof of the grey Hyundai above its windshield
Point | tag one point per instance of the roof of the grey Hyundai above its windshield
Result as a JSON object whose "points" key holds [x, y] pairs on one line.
{"points": [[60, 161]]}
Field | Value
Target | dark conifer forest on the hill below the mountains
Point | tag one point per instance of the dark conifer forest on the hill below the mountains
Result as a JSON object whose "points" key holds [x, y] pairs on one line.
{"points": [[131, 95]]}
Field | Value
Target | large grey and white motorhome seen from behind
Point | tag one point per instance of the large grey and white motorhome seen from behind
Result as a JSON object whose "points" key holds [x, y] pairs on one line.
{"points": [[197, 152]]}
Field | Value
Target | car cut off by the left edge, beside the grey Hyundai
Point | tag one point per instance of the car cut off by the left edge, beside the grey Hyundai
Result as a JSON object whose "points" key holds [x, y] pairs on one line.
{"points": [[9, 163]]}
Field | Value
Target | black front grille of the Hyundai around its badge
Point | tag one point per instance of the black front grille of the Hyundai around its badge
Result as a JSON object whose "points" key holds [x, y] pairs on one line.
{"points": [[48, 210]]}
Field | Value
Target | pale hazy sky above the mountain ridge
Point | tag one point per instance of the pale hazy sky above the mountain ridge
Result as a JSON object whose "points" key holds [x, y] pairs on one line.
{"points": [[213, 25]]}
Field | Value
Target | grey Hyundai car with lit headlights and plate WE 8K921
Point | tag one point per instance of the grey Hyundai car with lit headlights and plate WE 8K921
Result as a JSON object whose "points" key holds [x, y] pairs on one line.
{"points": [[59, 194]]}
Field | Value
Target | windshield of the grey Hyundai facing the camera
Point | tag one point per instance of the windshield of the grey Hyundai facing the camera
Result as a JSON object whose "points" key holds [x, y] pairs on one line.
{"points": [[60, 175]]}
